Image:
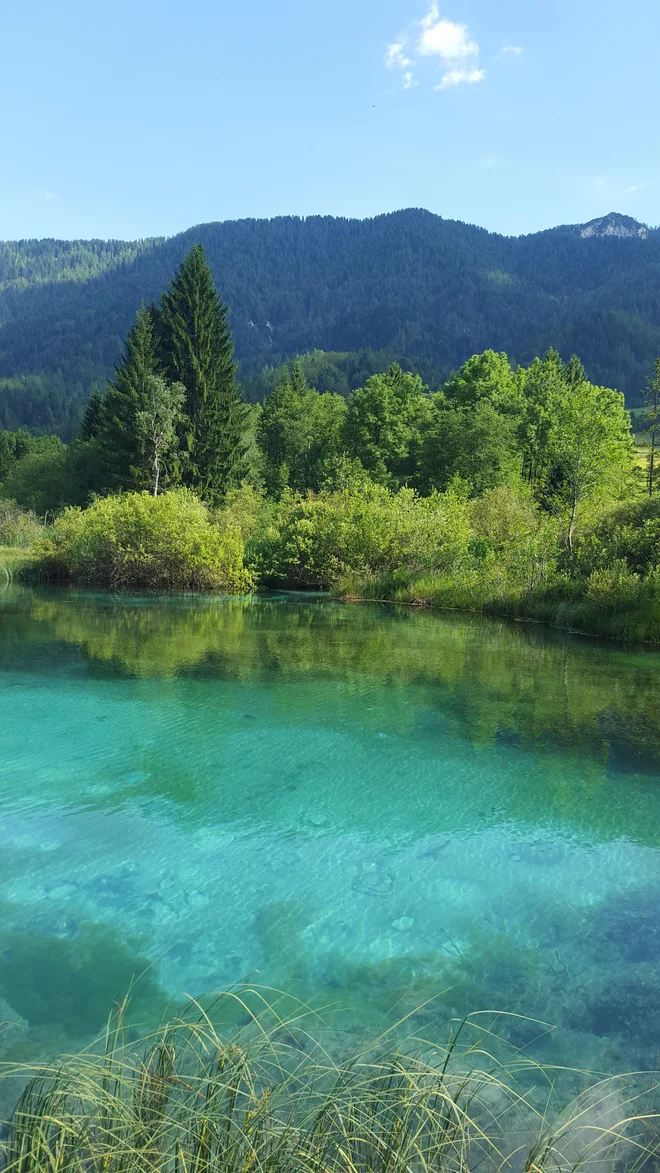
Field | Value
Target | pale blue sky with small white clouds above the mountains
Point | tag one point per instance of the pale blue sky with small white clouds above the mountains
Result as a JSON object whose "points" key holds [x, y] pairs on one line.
{"points": [[130, 119]]}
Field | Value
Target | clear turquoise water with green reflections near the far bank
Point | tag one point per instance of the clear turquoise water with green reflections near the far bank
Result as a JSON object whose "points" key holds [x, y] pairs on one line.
{"points": [[362, 805]]}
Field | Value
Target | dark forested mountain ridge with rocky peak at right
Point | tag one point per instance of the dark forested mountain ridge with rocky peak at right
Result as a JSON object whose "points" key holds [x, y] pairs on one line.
{"points": [[409, 284]]}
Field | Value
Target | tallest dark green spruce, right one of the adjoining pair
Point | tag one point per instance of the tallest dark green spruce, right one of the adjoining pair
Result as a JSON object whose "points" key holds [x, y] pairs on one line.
{"points": [[198, 351]]}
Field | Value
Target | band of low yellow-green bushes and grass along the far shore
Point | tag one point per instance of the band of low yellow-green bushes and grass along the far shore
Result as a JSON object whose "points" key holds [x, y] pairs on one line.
{"points": [[499, 554]]}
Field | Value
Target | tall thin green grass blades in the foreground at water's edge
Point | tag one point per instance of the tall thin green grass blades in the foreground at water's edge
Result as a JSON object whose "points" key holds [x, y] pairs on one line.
{"points": [[271, 1097]]}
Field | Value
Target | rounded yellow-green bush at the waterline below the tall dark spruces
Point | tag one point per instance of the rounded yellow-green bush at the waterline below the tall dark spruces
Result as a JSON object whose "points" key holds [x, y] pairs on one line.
{"points": [[140, 541]]}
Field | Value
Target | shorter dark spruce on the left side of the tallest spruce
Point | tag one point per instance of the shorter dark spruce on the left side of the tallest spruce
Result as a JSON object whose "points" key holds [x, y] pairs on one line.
{"points": [[121, 456]]}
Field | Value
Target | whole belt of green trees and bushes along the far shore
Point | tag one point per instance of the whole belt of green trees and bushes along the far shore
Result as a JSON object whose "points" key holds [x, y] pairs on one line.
{"points": [[515, 492]]}
